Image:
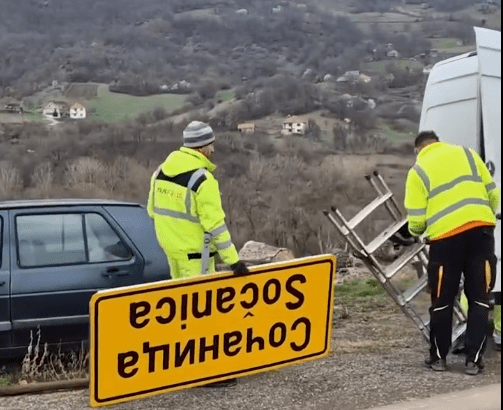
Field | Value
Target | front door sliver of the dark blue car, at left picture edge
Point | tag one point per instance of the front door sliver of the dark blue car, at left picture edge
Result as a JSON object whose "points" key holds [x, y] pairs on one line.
{"points": [[5, 323]]}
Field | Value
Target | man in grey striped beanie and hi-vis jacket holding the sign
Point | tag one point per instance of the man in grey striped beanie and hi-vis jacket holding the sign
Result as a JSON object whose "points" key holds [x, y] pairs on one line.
{"points": [[186, 207]]}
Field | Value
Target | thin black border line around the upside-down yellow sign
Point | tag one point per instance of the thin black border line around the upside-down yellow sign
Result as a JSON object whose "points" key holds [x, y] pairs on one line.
{"points": [[210, 279]]}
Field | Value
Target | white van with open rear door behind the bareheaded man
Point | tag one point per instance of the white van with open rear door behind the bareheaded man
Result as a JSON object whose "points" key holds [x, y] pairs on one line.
{"points": [[462, 104]]}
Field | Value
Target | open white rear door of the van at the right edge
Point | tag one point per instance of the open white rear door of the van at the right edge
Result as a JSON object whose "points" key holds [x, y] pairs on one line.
{"points": [[489, 53]]}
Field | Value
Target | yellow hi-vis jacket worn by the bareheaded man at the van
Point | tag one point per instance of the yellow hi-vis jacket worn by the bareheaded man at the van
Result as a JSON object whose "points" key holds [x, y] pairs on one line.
{"points": [[449, 187]]}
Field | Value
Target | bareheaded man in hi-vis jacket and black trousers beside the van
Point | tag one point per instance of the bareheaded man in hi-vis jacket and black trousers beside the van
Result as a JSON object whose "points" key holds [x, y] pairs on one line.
{"points": [[452, 200]]}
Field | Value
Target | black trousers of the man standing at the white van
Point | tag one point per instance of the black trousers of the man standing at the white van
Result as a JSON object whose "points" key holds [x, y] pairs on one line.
{"points": [[471, 253]]}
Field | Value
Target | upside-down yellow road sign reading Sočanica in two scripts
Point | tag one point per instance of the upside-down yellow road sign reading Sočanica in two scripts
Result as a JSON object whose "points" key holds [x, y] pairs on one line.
{"points": [[166, 336]]}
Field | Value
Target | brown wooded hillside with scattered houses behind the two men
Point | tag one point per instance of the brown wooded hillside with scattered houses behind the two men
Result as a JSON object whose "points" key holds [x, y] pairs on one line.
{"points": [[145, 69]]}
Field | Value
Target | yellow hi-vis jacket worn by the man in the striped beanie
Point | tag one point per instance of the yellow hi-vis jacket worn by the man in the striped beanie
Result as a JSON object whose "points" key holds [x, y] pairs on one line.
{"points": [[185, 204]]}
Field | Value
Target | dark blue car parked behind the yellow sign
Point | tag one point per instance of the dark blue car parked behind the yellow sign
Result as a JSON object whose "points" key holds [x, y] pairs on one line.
{"points": [[55, 254]]}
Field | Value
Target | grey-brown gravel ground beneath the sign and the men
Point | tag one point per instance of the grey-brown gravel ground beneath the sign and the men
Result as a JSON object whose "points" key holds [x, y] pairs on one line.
{"points": [[376, 360]]}
